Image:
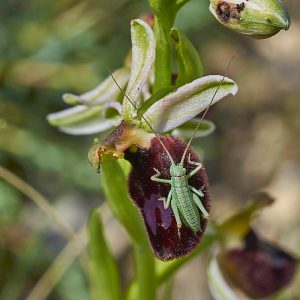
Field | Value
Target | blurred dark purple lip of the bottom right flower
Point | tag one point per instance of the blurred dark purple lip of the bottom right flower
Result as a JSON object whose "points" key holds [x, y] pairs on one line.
{"points": [[259, 269]]}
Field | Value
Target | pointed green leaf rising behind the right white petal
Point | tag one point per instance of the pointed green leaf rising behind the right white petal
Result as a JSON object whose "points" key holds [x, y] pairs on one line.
{"points": [[188, 60]]}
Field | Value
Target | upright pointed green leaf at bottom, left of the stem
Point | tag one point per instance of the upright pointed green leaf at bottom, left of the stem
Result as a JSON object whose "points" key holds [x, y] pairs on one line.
{"points": [[104, 271]]}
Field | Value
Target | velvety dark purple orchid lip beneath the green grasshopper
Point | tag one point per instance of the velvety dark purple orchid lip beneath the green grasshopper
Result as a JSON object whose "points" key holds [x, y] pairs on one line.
{"points": [[160, 223]]}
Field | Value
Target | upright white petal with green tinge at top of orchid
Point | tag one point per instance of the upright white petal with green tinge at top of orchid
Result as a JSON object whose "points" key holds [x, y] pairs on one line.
{"points": [[143, 55]]}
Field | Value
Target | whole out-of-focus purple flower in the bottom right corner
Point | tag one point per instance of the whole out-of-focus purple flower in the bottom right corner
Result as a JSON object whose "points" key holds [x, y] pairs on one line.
{"points": [[257, 269]]}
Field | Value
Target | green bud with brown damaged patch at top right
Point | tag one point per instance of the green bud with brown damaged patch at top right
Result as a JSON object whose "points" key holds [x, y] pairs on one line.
{"points": [[257, 18]]}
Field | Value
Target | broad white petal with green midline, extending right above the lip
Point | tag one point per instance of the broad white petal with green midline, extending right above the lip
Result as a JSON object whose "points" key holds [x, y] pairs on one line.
{"points": [[187, 102]]}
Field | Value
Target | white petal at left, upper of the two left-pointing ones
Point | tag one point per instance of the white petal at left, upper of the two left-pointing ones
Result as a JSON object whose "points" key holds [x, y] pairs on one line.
{"points": [[106, 91]]}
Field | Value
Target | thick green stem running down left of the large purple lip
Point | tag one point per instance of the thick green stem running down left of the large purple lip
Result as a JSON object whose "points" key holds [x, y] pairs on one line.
{"points": [[115, 188]]}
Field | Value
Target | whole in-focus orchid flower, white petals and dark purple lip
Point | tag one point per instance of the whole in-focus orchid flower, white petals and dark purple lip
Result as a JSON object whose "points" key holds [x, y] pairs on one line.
{"points": [[139, 119]]}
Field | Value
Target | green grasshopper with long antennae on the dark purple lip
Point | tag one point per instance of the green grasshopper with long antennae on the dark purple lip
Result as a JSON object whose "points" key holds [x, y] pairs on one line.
{"points": [[185, 200]]}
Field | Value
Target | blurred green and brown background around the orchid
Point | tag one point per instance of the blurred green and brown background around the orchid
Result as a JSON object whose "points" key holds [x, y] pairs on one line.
{"points": [[48, 48]]}
